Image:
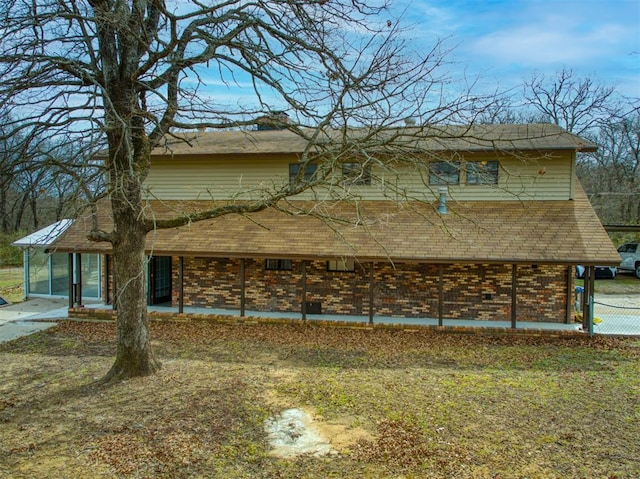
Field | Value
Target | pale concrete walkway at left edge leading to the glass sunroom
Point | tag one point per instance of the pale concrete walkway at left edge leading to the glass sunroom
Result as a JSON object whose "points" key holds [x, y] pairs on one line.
{"points": [[31, 316]]}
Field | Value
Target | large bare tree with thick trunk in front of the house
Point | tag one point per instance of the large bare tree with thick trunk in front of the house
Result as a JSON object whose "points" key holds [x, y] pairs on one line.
{"points": [[131, 72]]}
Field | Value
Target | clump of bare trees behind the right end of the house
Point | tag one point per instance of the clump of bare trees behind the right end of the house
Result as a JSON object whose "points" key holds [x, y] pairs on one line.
{"points": [[595, 111]]}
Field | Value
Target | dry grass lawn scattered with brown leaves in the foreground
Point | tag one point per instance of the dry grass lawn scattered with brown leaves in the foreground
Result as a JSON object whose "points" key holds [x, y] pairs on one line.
{"points": [[406, 404]]}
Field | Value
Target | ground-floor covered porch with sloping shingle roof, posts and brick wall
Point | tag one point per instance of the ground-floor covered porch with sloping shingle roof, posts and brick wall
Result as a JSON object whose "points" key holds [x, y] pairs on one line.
{"points": [[506, 261]]}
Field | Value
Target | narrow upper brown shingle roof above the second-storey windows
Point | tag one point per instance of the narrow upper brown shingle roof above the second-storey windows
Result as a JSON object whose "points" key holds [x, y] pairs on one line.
{"points": [[526, 137]]}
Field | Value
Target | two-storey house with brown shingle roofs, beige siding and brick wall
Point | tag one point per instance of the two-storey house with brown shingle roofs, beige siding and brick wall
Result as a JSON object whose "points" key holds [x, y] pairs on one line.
{"points": [[484, 223]]}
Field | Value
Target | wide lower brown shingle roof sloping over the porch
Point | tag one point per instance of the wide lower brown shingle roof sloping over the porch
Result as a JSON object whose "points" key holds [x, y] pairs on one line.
{"points": [[478, 231]]}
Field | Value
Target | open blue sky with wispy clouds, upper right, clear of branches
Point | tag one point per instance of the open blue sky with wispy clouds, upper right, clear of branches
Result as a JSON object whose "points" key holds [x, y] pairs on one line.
{"points": [[506, 41]]}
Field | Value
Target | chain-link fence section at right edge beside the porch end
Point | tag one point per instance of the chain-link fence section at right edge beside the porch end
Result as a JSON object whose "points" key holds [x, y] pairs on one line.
{"points": [[622, 318]]}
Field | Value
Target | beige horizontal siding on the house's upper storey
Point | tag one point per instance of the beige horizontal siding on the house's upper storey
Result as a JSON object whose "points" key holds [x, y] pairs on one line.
{"points": [[246, 177]]}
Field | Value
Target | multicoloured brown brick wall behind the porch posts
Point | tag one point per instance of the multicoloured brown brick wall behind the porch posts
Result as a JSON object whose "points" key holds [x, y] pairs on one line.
{"points": [[481, 292]]}
